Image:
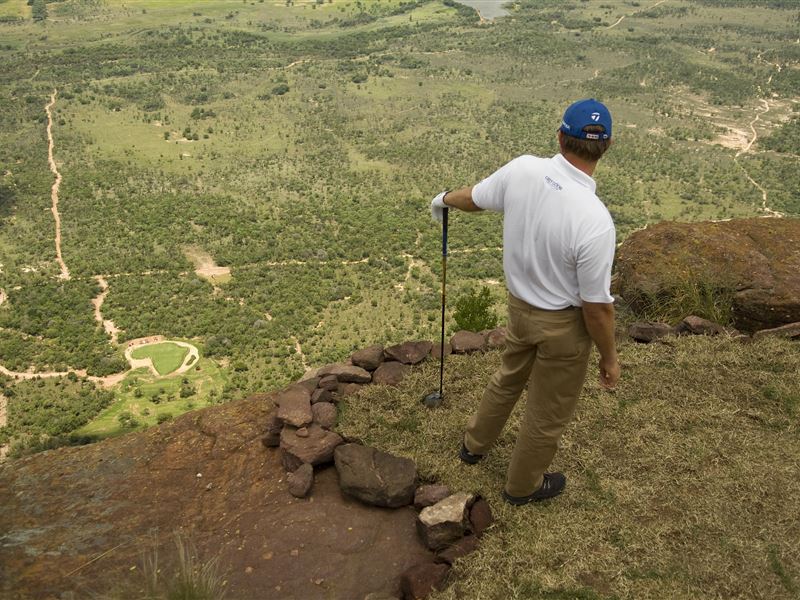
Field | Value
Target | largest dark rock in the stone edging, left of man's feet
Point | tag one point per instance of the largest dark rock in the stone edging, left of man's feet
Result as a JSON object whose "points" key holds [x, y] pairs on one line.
{"points": [[375, 477]]}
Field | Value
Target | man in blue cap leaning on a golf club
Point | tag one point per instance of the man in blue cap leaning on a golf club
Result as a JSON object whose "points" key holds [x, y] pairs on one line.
{"points": [[558, 247]]}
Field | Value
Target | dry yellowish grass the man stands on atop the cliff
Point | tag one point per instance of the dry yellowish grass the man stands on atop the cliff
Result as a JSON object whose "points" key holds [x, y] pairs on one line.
{"points": [[681, 484]]}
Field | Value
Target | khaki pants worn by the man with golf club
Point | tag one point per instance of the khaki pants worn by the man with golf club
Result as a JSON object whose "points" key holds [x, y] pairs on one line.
{"points": [[551, 348]]}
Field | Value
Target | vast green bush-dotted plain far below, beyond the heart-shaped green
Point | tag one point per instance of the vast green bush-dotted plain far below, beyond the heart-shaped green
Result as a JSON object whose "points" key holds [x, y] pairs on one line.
{"points": [[256, 176]]}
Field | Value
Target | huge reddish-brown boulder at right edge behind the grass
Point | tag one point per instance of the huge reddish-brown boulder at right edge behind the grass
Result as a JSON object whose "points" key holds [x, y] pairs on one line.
{"points": [[753, 262]]}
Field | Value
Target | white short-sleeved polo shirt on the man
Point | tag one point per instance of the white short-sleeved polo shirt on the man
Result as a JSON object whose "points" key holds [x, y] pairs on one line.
{"points": [[558, 237]]}
